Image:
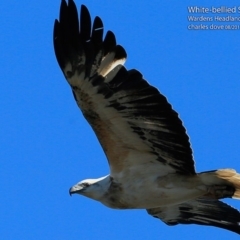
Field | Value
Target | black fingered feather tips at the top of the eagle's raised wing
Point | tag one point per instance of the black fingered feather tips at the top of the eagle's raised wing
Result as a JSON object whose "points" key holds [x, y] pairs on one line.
{"points": [[78, 39]]}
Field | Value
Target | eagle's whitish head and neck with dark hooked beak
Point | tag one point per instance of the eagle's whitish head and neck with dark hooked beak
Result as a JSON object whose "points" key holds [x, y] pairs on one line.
{"points": [[92, 188]]}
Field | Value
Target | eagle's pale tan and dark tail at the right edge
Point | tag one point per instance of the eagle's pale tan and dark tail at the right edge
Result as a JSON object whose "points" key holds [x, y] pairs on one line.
{"points": [[227, 182]]}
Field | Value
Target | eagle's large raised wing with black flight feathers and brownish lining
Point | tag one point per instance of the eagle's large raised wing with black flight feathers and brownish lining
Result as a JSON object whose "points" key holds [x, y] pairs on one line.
{"points": [[133, 122]]}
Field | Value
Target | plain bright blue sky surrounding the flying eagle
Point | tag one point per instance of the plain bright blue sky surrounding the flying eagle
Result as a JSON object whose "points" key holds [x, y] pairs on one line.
{"points": [[47, 146]]}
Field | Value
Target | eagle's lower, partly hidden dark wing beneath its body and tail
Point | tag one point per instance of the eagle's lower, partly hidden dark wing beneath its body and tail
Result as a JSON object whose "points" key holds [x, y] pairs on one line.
{"points": [[200, 211]]}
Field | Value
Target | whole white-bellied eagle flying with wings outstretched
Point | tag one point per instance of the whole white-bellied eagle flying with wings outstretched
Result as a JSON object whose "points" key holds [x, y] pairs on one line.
{"points": [[145, 142]]}
